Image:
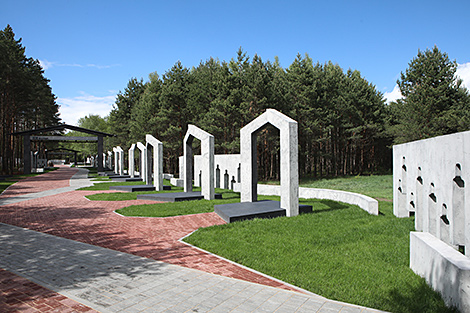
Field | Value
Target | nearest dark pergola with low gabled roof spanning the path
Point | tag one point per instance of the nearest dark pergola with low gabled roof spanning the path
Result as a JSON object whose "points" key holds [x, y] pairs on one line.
{"points": [[29, 135]]}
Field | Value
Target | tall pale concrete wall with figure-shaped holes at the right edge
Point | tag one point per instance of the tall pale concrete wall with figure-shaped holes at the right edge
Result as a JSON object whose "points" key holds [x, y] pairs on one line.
{"points": [[431, 181]]}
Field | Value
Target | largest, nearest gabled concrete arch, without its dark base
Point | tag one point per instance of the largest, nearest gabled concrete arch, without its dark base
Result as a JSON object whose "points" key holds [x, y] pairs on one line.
{"points": [[289, 159]]}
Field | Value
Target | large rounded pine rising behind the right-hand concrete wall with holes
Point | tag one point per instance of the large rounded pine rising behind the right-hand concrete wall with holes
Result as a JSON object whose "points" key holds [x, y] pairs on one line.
{"points": [[435, 102]]}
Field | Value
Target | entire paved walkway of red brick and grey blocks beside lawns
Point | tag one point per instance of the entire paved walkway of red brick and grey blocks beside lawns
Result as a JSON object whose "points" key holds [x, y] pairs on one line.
{"points": [[129, 280]]}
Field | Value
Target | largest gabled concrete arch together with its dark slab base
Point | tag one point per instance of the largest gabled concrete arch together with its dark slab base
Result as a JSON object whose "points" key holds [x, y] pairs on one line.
{"points": [[249, 208]]}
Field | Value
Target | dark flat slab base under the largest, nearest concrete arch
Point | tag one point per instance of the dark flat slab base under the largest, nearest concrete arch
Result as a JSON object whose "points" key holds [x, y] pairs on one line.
{"points": [[233, 212]]}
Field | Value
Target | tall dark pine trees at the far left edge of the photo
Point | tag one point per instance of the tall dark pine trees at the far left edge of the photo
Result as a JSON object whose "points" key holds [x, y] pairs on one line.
{"points": [[26, 99]]}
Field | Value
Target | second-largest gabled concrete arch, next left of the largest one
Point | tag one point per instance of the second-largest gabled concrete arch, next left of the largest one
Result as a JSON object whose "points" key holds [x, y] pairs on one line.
{"points": [[207, 154]]}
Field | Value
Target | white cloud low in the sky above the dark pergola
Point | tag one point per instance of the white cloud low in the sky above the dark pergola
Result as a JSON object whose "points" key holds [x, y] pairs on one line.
{"points": [[71, 109]]}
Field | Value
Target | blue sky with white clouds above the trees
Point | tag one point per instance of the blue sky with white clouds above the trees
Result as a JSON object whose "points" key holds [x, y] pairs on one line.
{"points": [[90, 49]]}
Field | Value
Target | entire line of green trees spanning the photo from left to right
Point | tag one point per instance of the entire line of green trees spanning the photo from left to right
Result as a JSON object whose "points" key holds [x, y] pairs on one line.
{"points": [[345, 126]]}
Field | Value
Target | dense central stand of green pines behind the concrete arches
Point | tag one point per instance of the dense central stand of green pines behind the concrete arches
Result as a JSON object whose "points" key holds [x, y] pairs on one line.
{"points": [[341, 116]]}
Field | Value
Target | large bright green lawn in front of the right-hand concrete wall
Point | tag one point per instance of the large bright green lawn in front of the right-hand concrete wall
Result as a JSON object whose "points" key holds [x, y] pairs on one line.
{"points": [[340, 252]]}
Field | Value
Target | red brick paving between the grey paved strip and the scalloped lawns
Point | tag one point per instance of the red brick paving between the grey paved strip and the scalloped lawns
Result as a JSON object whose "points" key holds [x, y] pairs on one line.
{"points": [[71, 215]]}
